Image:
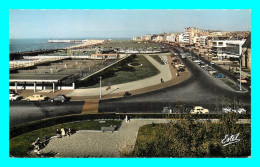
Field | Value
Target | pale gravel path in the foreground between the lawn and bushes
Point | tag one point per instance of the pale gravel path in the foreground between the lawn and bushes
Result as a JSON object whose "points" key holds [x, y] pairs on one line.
{"points": [[97, 143]]}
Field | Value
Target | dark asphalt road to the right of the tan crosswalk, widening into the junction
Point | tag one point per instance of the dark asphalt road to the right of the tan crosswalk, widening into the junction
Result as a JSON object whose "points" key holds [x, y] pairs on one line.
{"points": [[199, 89]]}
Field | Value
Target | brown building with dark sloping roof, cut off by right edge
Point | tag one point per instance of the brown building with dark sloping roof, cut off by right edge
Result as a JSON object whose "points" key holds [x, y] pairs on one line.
{"points": [[246, 53]]}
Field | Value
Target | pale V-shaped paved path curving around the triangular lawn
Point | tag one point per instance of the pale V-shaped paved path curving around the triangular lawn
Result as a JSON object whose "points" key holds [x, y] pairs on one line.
{"points": [[165, 73]]}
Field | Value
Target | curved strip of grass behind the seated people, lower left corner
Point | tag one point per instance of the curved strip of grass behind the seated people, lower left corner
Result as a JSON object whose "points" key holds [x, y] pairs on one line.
{"points": [[19, 145]]}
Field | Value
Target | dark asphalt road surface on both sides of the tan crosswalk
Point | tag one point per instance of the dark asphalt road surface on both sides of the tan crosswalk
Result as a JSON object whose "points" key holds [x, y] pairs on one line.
{"points": [[199, 89]]}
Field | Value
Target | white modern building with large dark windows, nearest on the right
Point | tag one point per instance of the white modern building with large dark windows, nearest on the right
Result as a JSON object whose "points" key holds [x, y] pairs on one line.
{"points": [[227, 48]]}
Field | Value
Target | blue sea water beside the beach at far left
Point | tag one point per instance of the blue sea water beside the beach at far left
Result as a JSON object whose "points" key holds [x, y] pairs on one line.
{"points": [[21, 45]]}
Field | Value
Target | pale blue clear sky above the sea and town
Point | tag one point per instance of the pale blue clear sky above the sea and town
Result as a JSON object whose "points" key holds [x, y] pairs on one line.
{"points": [[120, 23]]}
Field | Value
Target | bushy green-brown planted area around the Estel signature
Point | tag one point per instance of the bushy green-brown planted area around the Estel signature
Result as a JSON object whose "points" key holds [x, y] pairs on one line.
{"points": [[186, 139]]}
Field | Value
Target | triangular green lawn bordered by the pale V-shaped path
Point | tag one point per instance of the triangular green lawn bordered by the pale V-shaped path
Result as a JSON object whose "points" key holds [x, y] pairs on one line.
{"points": [[123, 76]]}
